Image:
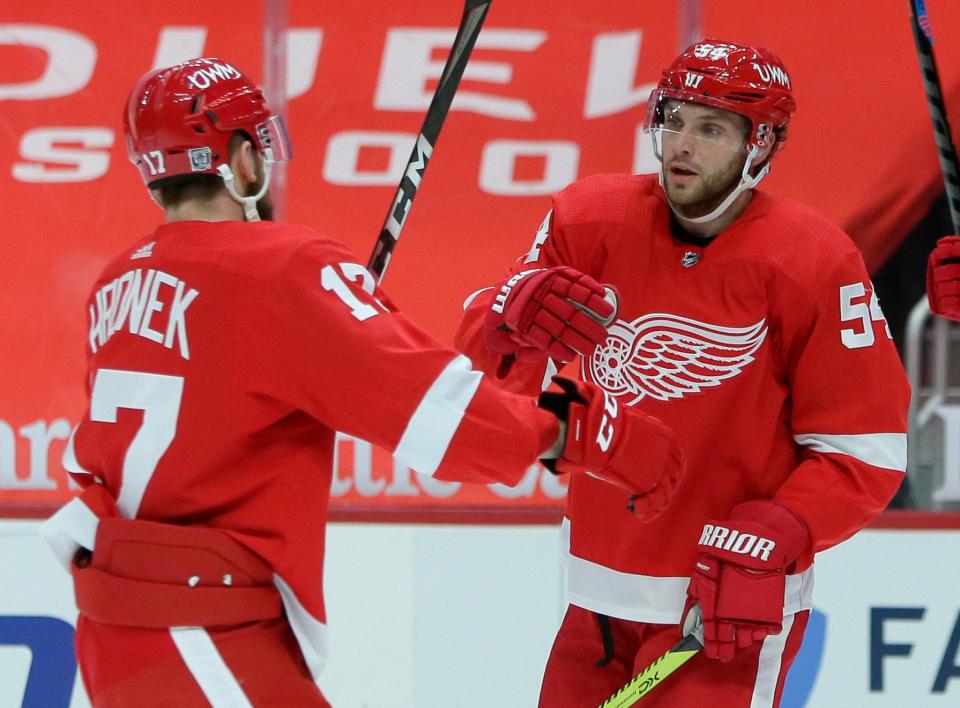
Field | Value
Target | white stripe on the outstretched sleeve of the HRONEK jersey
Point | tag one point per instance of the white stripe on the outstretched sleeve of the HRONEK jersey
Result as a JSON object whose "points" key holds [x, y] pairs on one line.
{"points": [[432, 426]]}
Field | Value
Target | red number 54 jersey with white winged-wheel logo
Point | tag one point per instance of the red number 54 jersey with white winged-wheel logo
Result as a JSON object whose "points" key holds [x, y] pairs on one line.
{"points": [[764, 349]]}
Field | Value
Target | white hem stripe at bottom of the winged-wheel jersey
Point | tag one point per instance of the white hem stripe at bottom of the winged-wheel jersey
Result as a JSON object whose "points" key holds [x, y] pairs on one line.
{"points": [[648, 598]]}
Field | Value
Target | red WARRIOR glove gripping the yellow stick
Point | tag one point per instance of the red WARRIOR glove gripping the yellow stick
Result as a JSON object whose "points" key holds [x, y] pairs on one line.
{"points": [[740, 575]]}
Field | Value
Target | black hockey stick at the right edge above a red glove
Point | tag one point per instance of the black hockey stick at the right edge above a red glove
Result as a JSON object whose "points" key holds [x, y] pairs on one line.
{"points": [[946, 150]]}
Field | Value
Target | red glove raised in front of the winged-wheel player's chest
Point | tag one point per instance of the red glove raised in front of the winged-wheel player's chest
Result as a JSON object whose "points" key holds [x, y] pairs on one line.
{"points": [[554, 312]]}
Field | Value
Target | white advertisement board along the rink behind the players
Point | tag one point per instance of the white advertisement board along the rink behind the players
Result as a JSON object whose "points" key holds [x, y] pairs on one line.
{"points": [[432, 610]]}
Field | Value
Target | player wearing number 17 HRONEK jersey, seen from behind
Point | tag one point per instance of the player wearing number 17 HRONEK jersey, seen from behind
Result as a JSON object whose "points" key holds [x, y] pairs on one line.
{"points": [[223, 353]]}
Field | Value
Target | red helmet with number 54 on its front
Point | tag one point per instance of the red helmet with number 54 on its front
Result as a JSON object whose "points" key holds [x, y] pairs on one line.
{"points": [[745, 80]]}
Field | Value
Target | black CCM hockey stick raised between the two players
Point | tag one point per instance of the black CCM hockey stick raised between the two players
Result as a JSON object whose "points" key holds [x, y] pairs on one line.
{"points": [[474, 12]]}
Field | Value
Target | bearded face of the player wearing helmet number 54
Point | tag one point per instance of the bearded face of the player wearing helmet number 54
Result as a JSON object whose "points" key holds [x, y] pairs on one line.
{"points": [[703, 150]]}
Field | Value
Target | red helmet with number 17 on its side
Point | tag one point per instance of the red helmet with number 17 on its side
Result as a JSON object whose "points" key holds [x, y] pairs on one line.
{"points": [[179, 120]]}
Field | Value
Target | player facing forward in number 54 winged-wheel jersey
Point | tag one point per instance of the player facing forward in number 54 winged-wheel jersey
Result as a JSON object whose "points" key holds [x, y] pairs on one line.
{"points": [[748, 325]]}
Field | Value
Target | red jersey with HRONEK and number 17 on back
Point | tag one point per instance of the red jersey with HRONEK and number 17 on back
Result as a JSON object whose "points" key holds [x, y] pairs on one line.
{"points": [[221, 359]]}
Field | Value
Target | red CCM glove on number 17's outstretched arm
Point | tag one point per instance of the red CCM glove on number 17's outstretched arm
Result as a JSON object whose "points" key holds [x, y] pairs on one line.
{"points": [[615, 443]]}
